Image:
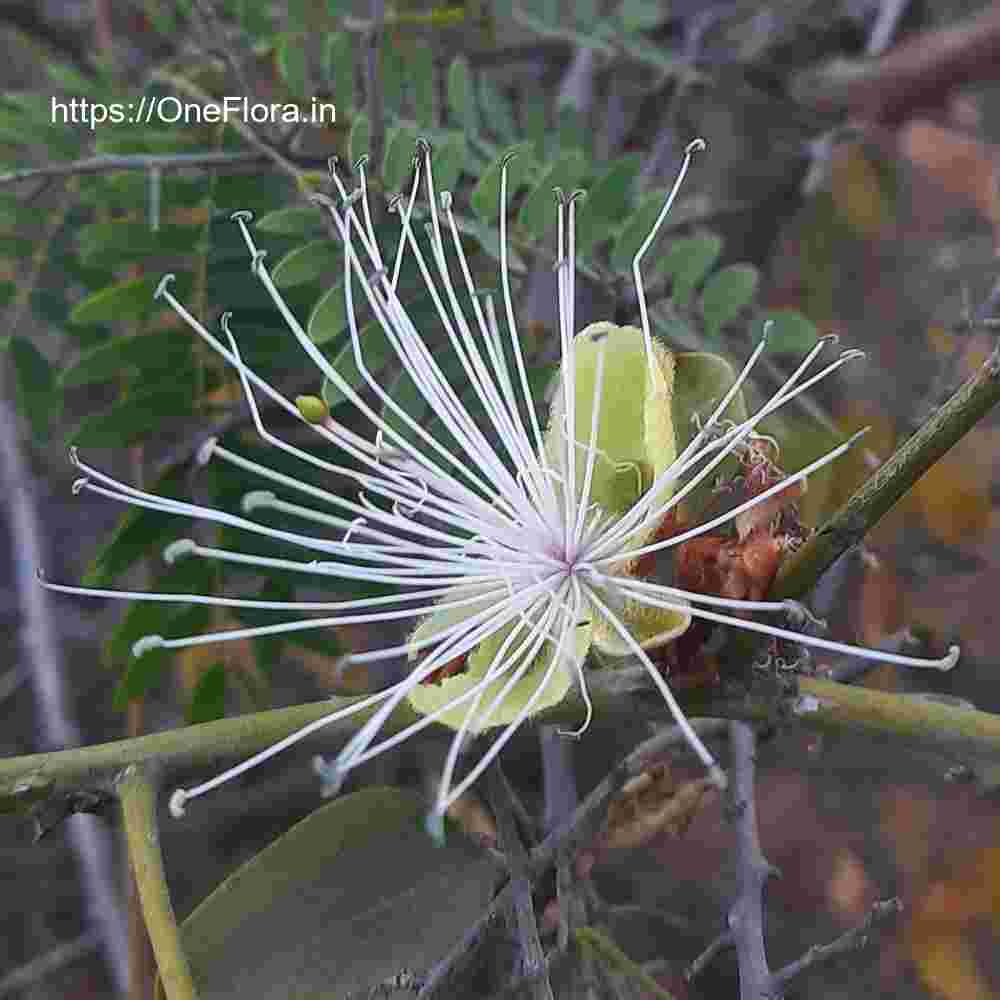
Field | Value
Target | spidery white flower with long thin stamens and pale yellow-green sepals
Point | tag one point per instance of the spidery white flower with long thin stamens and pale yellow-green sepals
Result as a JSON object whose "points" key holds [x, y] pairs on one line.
{"points": [[517, 549]]}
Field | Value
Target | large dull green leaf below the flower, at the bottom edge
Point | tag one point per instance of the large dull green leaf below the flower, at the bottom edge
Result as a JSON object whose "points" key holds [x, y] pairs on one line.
{"points": [[338, 904]]}
